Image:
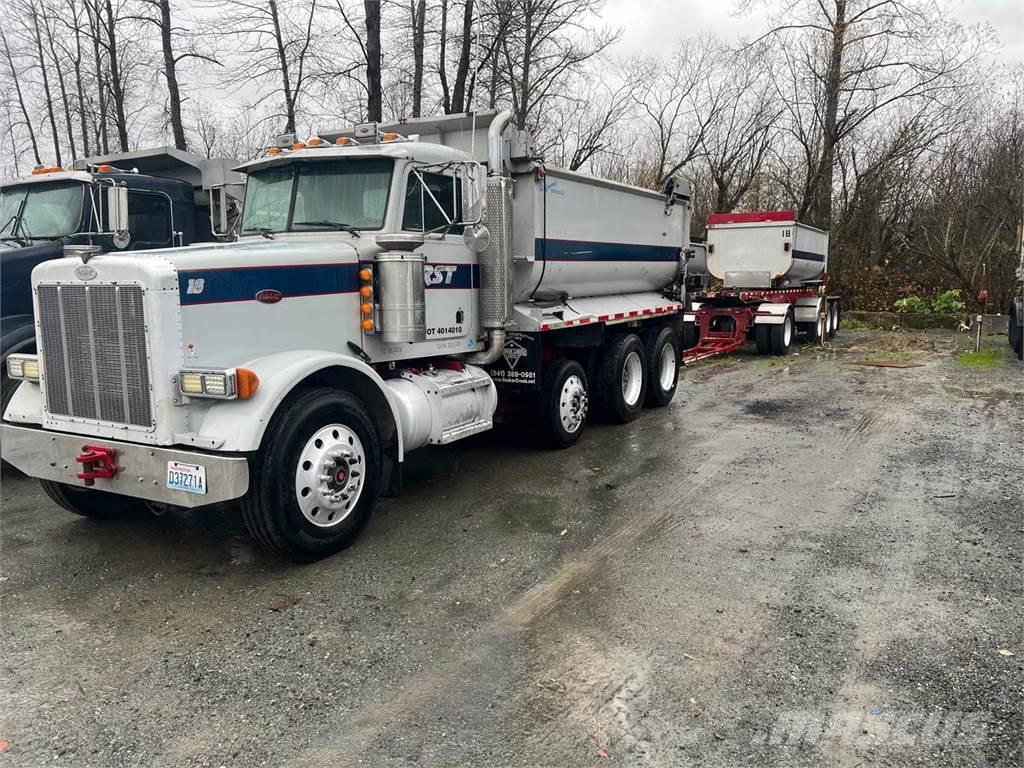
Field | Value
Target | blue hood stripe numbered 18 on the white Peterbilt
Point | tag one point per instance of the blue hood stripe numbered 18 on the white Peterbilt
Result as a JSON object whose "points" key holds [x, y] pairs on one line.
{"points": [[242, 284]]}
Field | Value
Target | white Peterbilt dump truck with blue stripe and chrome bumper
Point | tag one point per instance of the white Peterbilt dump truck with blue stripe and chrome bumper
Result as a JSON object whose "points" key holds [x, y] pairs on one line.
{"points": [[392, 287]]}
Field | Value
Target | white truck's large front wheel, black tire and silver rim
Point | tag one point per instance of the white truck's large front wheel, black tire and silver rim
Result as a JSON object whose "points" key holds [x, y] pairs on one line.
{"points": [[319, 445]]}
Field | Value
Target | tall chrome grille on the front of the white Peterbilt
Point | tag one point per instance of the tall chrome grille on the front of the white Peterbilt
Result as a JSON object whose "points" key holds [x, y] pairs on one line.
{"points": [[93, 344]]}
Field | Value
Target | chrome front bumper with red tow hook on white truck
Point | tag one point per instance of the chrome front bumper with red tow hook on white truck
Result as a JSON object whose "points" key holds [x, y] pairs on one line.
{"points": [[142, 470]]}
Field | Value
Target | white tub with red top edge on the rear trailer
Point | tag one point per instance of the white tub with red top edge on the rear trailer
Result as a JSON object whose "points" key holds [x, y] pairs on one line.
{"points": [[765, 250]]}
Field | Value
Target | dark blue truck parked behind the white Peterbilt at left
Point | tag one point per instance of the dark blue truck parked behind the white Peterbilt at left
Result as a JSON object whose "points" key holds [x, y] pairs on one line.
{"points": [[134, 201]]}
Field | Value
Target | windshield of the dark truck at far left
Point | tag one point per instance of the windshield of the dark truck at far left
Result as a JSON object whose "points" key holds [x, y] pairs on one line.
{"points": [[41, 210]]}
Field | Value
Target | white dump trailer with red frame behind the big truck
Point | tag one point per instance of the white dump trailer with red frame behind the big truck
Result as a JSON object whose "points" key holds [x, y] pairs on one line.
{"points": [[774, 275]]}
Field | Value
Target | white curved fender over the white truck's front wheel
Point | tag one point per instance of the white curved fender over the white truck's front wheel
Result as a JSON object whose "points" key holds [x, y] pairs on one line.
{"points": [[239, 425]]}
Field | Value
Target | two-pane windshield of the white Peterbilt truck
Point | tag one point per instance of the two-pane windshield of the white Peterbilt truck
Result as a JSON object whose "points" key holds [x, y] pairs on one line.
{"points": [[319, 195]]}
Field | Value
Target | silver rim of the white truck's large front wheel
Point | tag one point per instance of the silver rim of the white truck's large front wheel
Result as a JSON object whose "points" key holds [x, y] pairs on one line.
{"points": [[330, 476]]}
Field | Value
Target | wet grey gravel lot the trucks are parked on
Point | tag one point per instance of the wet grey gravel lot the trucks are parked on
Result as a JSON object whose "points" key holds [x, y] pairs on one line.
{"points": [[801, 563]]}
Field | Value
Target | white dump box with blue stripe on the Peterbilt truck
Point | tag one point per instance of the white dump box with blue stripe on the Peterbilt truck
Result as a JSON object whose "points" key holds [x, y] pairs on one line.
{"points": [[576, 236]]}
